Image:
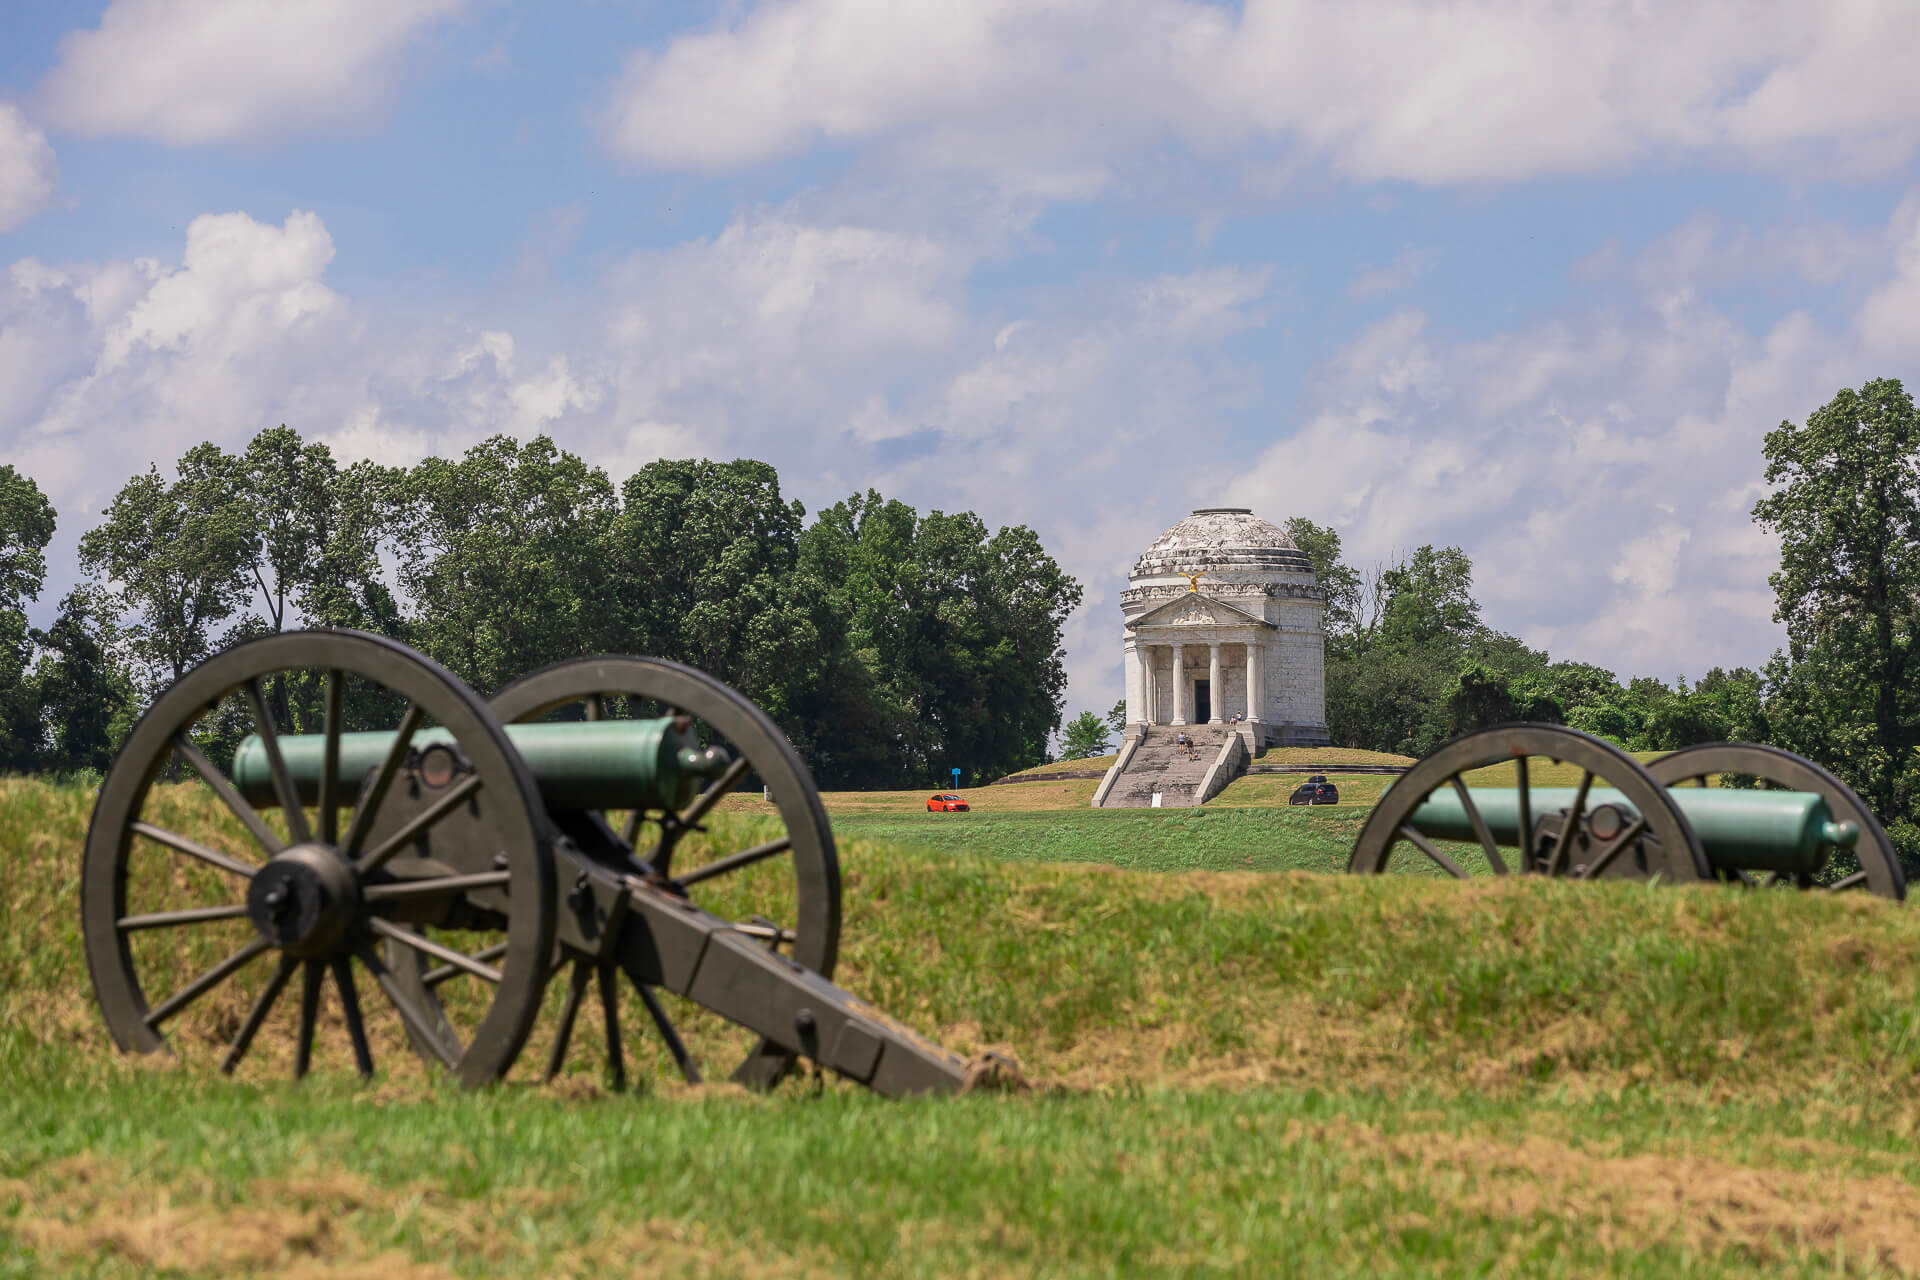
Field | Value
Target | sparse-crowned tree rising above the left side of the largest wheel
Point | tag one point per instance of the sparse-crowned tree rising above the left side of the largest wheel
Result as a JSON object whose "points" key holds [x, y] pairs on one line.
{"points": [[176, 559]]}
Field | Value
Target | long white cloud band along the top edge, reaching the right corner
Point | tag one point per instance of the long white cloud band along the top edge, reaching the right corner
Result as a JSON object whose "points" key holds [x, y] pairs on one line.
{"points": [[1053, 95]]}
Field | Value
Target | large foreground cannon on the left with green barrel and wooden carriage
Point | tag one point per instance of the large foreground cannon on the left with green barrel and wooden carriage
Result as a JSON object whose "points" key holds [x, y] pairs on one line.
{"points": [[468, 855]]}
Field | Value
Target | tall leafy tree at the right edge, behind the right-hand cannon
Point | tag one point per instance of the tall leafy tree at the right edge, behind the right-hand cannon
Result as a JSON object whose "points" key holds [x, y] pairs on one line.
{"points": [[1846, 504]]}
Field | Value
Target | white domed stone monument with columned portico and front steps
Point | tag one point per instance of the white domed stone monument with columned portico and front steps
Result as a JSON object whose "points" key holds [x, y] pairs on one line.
{"points": [[1224, 648]]}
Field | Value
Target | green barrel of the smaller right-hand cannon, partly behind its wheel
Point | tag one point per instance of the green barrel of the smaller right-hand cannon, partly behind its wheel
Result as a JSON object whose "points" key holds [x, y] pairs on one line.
{"points": [[1740, 830]]}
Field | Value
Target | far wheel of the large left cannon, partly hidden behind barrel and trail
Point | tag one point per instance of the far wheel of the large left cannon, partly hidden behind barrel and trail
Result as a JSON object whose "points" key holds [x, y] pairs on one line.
{"points": [[598, 688]]}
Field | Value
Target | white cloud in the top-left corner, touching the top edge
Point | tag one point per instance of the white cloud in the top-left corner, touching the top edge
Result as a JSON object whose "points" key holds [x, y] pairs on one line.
{"points": [[193, 72]]}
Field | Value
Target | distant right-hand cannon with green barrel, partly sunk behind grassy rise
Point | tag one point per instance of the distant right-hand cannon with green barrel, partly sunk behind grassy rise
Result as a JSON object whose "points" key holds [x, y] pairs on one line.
{"points": [[1627, 820]]}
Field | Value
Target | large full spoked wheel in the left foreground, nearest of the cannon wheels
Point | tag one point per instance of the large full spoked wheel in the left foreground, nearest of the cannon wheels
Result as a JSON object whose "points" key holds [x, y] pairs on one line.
{"points": [[312, 895]]}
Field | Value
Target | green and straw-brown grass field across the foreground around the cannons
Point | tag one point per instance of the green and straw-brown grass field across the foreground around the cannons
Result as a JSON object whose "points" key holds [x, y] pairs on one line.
{"points": [[1239, 1068]]}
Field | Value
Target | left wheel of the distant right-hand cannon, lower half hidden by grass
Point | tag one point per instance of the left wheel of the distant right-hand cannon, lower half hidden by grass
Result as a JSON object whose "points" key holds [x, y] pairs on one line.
{"points": [[1389, 832]]}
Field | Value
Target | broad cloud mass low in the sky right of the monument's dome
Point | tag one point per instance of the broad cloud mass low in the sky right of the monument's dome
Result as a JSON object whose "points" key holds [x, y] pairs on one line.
{"points": [[1598, 467]]}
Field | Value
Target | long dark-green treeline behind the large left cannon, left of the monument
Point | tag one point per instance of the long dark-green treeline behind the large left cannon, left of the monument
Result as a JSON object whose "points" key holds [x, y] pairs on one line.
{"points": [[888, 644]]}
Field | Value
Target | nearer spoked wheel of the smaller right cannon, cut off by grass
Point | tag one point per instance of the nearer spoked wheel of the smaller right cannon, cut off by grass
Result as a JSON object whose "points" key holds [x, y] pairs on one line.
{"points": [[1585, 843]]}
